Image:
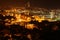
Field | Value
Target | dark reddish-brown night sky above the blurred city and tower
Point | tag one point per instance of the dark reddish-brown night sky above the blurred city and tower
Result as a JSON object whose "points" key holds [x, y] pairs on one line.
{"points": [[37, 3]]}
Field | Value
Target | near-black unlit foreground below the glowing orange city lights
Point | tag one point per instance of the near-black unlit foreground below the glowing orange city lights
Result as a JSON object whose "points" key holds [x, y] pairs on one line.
{"points": [[44, 31]]}
